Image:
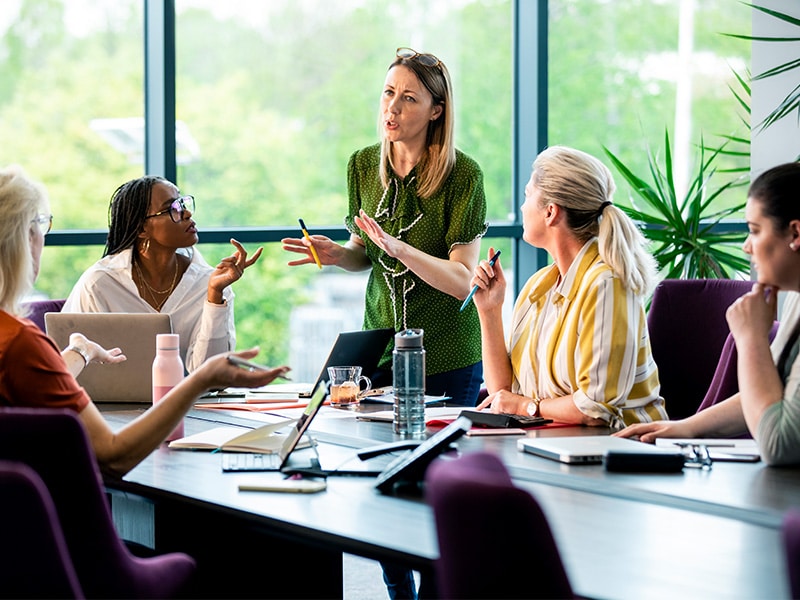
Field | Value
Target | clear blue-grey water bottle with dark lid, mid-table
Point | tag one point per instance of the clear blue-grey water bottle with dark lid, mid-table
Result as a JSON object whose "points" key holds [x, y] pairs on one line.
{"points": [[408, 366]]}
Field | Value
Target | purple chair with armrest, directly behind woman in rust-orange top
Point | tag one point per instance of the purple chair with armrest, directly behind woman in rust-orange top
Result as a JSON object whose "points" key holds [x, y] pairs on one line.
{"points": [[54, 443]]}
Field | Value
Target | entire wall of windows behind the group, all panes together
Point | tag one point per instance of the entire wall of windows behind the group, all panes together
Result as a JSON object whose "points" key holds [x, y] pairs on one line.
{"points": [[272, 97]]}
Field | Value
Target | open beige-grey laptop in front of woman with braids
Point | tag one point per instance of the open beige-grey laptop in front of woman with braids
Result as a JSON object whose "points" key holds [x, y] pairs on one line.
{"points": [[134, 333]]}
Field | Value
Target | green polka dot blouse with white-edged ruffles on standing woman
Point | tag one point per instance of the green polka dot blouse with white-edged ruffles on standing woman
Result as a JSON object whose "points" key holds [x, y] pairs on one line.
{"points": [[396, 297]]}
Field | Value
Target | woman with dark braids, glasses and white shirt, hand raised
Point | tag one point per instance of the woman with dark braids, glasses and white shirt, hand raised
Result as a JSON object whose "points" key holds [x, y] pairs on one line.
{"points": [[150, 264]]}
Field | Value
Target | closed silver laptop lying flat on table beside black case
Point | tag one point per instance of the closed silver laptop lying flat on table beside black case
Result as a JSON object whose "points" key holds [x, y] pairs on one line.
{"points": [[587, 449]]}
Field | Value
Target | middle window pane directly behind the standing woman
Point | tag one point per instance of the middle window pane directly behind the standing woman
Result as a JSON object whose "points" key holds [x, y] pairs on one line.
{"points": [[276, 105]]}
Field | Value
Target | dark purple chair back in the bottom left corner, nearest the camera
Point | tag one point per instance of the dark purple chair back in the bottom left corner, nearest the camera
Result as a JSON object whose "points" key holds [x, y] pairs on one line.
{"points": [[34, 559]]}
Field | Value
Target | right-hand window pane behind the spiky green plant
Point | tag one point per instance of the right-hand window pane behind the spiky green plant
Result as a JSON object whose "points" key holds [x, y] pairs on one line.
{"points": [[623, 73]]}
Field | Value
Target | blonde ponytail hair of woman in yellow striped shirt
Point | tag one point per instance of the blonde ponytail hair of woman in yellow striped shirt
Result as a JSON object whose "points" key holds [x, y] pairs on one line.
{"points": [[583, 186]]}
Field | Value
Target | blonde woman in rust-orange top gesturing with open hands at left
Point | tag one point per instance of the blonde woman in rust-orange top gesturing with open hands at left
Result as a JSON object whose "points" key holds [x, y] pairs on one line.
{"points": [[27, 354]]}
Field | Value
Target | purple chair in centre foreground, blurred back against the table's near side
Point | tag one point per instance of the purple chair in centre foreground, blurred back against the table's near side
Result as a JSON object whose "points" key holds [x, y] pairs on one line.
{"points": [[494, 540]]}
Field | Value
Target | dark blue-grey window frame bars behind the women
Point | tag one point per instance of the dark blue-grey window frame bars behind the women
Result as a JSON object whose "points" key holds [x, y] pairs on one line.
{"points": [[529, 116]]}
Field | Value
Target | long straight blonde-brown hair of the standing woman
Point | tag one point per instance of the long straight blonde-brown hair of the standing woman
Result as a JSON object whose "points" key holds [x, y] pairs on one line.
{"points": [[439, 157]]}
